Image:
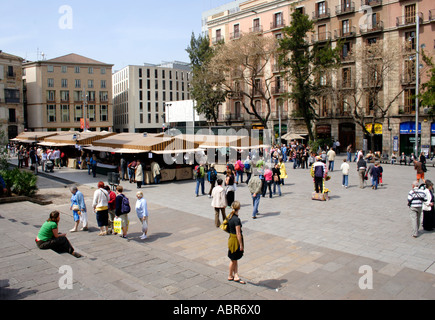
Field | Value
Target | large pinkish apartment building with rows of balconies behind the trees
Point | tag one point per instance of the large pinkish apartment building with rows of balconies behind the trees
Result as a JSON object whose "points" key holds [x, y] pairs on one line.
{"points": [[354, 23]]}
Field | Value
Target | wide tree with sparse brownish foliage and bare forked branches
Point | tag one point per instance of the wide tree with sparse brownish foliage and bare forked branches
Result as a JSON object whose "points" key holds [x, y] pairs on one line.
{"points": [[242, 64]]}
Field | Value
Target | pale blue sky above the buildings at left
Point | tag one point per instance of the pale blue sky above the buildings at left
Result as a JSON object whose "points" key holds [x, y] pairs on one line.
{"points": [[116, 32]]}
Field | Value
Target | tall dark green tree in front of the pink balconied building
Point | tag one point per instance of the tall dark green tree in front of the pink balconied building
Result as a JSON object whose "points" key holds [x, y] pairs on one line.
{"points": [[303, 63]]}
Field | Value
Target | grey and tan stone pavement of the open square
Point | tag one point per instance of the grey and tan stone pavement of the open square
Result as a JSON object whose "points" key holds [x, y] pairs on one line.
{"points": [[357, 246]]}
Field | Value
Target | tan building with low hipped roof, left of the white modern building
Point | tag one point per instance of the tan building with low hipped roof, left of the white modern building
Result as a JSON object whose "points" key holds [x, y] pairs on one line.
{"points": [[71, 92]]}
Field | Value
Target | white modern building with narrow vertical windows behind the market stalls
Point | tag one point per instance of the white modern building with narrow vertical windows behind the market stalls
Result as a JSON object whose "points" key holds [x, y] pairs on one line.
{"points": [[140, 94]]}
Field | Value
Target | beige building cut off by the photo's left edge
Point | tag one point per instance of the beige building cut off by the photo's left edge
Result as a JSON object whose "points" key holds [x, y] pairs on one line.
{"points": [[11, 95]]}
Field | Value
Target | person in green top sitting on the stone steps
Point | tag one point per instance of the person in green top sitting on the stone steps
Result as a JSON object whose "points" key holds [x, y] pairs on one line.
{"points": [[49, 237]]}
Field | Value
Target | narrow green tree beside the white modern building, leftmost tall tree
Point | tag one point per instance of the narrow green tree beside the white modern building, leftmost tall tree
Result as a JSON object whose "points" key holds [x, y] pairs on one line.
{"points": [[205, 88]]}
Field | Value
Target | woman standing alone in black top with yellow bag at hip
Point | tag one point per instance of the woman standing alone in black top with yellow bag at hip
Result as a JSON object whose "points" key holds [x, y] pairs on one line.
{"points": [[235, 243]]}
